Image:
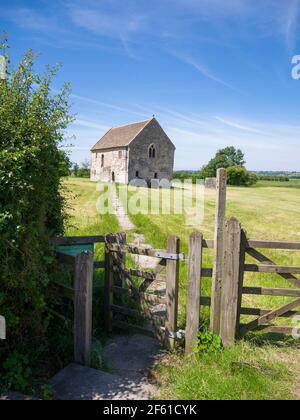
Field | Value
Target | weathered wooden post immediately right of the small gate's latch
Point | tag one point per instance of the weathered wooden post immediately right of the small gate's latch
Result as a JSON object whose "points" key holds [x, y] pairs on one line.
{"points": [[194, 291]]}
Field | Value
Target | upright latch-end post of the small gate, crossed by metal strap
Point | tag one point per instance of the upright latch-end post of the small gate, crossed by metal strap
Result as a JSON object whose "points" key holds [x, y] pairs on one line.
{"points": [[172, 292]]}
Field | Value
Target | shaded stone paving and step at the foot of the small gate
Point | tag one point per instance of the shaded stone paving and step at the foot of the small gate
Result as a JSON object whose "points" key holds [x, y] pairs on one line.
{"points": [[128, 356]]}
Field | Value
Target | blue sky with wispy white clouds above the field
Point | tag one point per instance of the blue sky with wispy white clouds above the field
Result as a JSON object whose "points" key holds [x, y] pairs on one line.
{"points": [[214, 72]]}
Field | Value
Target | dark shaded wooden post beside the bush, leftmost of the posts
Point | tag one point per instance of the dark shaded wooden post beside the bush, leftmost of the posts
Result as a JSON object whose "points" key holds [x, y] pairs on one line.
{"points": [[83, 285]]}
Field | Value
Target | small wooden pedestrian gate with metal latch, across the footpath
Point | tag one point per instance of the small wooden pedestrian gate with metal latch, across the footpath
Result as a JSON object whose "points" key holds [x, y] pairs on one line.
{"points": [[128, 303]]}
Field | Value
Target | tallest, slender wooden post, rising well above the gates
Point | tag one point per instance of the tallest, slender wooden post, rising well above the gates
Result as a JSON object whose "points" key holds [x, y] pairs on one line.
{"points": [[218, 251]]}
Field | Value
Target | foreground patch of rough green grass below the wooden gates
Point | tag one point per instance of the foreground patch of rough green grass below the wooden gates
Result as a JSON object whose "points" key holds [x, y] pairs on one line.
{"points": [[242, 372]]}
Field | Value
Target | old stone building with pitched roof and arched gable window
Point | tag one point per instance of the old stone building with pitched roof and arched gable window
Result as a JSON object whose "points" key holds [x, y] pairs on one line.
{"points": [[141, 150]]}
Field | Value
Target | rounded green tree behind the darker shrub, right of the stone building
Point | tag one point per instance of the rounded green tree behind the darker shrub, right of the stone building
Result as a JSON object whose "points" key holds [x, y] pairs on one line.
{"points": [[224, 158]]}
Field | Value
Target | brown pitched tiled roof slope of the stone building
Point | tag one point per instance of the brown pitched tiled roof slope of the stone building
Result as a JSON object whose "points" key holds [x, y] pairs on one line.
{"points": [[120, 136]]}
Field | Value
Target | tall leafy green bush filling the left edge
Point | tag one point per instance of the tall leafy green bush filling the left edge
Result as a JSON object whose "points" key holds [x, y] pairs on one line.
{"points": [[32, 124]]}
